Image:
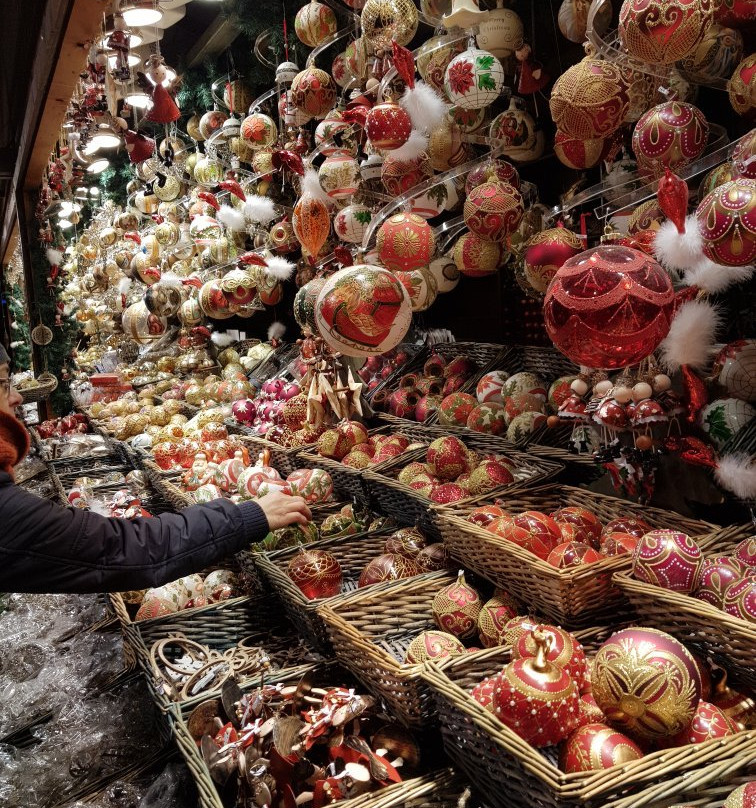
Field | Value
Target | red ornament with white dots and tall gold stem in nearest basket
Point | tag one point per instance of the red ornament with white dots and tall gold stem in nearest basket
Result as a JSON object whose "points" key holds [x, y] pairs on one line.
{"points": [[536, 698]]}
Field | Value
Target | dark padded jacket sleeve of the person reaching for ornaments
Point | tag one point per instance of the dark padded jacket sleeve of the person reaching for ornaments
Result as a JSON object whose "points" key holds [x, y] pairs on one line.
{"points": [[46, 548]]}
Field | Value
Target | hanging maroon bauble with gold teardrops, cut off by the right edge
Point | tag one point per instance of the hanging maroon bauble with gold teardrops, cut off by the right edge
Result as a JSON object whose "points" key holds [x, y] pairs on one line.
{"points": [[727, 222]]}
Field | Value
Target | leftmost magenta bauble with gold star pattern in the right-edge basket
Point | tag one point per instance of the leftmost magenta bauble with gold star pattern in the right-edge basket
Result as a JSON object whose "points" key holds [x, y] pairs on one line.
{"points": [[669, 559]]}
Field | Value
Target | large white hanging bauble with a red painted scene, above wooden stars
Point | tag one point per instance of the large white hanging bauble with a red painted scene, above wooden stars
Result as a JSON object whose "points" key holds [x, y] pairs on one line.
{"points": [[363, 310]]}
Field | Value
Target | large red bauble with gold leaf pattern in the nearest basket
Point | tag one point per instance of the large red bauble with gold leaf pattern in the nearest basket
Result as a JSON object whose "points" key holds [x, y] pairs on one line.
{"points": [[646, 682]]}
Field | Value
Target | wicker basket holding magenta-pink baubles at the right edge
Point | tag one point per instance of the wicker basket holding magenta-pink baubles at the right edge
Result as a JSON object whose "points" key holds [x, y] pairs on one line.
{"points": [[729, 640]]}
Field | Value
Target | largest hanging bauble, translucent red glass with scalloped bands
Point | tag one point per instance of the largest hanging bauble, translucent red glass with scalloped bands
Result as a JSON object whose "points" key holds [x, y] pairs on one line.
{"points": [[609, 307]]}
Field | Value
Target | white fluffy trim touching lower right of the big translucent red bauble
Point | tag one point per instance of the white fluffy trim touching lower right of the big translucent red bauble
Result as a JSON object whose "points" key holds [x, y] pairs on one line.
{"points": [[691, 337]]}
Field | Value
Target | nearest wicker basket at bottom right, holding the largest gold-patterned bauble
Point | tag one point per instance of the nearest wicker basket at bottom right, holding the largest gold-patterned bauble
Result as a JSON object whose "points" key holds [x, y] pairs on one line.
{"points": [[513, 773]]}
